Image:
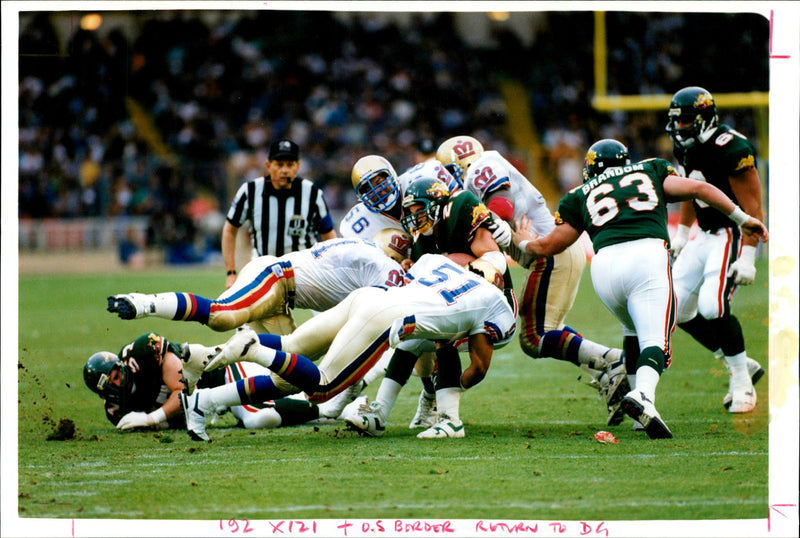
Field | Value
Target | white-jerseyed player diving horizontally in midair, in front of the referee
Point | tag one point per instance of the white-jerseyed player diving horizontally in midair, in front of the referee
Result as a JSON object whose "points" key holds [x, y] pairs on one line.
{"points": [[316, 278]]}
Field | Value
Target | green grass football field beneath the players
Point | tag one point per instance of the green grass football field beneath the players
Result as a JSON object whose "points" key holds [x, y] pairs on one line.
{"points": [[529, 453]]}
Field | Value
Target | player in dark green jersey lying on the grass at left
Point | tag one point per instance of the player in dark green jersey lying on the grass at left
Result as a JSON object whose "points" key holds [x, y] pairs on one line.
{"points": [[140, 387]]}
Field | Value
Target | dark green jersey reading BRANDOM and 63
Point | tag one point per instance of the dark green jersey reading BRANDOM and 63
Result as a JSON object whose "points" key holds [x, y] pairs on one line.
{"points": [[624, 203]]}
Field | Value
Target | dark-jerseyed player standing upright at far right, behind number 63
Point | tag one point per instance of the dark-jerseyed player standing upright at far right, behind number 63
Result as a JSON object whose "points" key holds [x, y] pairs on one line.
{"points": [[709, 268]]}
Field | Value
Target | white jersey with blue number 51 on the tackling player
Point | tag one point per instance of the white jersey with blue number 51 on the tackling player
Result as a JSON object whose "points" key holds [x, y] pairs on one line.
{"points": [[451, 303]]}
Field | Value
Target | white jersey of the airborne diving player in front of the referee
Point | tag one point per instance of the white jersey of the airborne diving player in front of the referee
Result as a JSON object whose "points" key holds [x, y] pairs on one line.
{"points": [[327, 272]]}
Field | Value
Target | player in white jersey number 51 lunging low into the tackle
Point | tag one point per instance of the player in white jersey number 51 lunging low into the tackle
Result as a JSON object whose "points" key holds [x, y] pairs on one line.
{"points": [[443, 302]]}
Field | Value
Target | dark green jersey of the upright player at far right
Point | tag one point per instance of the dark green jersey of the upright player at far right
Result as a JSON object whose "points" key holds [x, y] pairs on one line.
{"points": [[725, 154]]}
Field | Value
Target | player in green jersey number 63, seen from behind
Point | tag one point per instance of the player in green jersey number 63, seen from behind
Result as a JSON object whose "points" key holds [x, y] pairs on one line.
{"points": [[623, 208]]}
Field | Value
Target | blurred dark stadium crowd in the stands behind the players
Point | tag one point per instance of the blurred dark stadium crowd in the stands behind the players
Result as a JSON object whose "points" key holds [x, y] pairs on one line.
{"points": [[217, 94]]}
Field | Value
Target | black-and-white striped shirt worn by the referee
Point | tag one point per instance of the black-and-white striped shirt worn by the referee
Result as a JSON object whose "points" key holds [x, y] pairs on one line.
{"points": [[281, 220]]}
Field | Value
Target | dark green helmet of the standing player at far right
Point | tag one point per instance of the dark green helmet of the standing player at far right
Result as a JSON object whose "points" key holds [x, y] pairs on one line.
{"points": [[692, 117]]}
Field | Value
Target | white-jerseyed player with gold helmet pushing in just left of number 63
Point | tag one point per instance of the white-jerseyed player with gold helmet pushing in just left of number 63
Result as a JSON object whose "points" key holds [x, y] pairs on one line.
{"points": [[552, 283]]}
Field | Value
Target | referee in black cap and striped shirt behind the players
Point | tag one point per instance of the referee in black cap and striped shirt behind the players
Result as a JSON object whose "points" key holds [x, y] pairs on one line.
{"points": [[286, 212]]}
